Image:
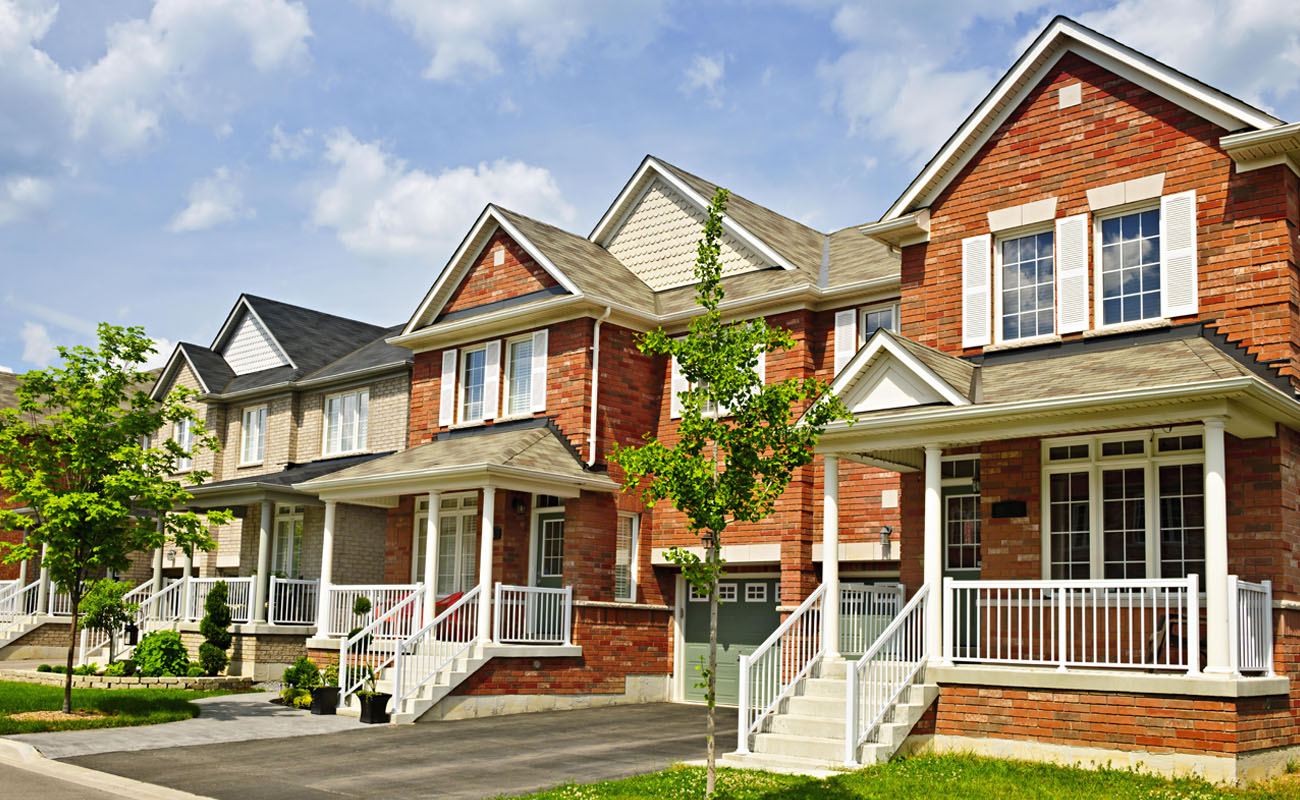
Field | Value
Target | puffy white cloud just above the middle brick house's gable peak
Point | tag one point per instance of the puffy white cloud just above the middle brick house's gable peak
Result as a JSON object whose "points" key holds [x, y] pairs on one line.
{"points": [[382, 207]]}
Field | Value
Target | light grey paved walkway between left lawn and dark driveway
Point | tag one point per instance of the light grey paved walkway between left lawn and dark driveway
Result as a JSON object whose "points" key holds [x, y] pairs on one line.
{"points": [[227, 719]]}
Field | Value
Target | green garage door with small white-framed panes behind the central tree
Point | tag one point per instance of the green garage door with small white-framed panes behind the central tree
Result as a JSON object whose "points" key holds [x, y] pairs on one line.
{"points": [[747, 617]]}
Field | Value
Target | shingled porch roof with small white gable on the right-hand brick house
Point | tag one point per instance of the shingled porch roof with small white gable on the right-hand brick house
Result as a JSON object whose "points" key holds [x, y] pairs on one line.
{"points": [[1162, 377]]}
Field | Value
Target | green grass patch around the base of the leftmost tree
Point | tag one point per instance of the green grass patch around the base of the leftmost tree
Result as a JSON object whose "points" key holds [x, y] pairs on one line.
{"points": [[124, 707]]}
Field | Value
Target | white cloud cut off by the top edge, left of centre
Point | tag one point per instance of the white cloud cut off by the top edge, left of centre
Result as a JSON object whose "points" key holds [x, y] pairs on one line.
{"points": [[466, 38]]}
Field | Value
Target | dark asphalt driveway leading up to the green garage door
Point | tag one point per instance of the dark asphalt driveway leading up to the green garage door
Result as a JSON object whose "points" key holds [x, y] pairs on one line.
{"points": [[462, 759]]}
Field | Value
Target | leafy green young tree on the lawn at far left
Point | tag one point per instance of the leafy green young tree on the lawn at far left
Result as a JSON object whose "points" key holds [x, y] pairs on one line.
{"points": [[75, 452]]}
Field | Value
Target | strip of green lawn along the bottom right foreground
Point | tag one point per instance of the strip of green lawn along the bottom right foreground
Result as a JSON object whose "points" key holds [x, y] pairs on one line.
{"points": [[925, 779]]}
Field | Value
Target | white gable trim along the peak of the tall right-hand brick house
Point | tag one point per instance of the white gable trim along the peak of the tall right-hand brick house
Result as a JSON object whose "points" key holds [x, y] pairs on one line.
{"points": [[1060, 37]]}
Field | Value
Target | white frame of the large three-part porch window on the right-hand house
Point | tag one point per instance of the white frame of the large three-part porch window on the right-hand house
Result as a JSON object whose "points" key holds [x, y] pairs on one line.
{"points": [[1151, 461]]}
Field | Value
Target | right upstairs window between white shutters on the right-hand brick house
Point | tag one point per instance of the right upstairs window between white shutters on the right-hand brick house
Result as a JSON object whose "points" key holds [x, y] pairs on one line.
{"points": [[1130, 267]]}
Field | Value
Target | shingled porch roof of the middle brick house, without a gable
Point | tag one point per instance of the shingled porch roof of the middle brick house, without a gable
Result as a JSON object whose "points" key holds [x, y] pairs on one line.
{"points": [[528, 456]]}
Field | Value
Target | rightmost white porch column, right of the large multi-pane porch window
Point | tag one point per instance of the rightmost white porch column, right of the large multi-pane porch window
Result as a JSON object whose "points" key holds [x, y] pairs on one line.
{"points": [[1217, 658]]}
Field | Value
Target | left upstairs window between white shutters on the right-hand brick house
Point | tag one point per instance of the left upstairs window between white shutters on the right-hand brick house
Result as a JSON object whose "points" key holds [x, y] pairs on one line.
{"points": [[1026, 282]]}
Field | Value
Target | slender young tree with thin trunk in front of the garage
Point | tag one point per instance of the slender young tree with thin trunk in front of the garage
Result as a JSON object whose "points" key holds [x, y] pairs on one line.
{"points": [[739, 439]]}
